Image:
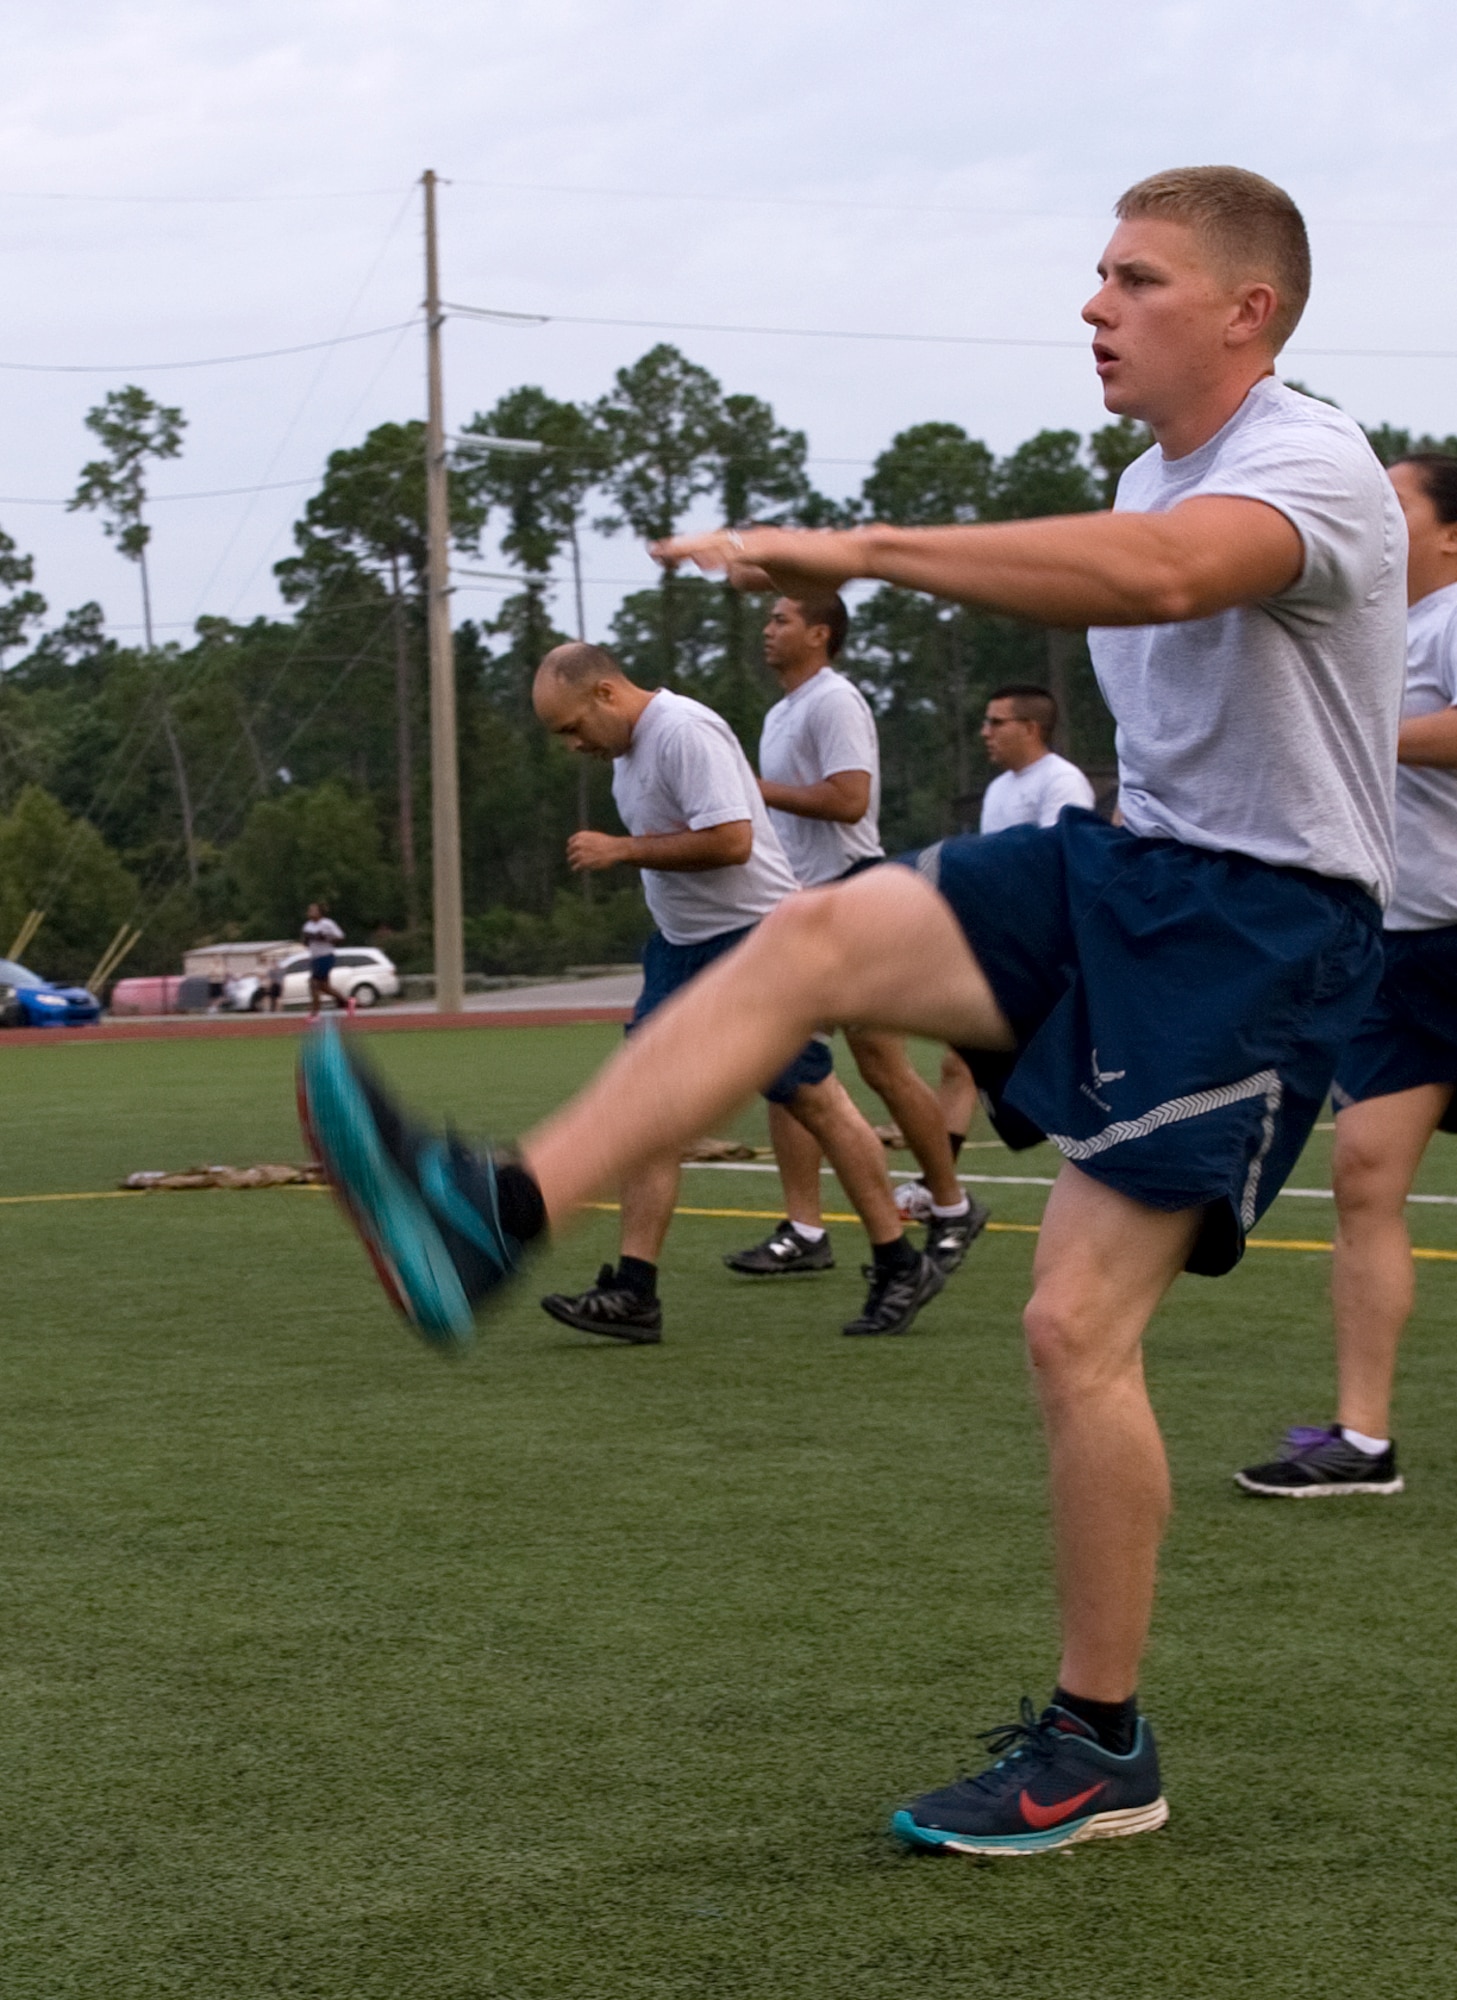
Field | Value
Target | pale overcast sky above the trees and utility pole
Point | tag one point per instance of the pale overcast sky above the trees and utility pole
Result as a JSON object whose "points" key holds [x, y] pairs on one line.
{"points": [[191, 179]]}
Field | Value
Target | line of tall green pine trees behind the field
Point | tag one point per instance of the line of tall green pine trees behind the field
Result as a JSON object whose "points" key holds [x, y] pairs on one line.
{"points": [[215, 789]]}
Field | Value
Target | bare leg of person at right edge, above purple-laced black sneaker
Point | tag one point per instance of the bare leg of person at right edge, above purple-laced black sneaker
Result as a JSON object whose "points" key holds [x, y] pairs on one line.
{"points": [[1378, 1151]]}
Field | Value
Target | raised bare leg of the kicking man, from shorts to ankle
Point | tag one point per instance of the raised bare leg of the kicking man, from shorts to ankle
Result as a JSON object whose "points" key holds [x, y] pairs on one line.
{"points": [[882, 949]]}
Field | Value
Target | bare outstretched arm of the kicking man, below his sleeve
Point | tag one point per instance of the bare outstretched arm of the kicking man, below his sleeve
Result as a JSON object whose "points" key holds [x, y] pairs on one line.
{"points": [[1200, 559]]}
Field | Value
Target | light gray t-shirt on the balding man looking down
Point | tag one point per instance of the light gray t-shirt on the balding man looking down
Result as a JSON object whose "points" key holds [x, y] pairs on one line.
{"points": [[683, 773]]}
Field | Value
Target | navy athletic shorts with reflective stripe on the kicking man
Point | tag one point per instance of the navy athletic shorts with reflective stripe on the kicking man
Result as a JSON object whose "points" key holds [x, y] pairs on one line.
{"points": [[1178, 1013]]}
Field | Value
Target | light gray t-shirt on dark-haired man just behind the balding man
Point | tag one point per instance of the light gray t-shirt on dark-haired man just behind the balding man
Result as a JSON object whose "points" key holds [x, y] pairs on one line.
{"points": [[818, 731]]}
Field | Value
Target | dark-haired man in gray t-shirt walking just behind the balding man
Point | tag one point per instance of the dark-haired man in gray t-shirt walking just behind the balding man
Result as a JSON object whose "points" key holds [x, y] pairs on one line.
{"points": [[820, 769]]}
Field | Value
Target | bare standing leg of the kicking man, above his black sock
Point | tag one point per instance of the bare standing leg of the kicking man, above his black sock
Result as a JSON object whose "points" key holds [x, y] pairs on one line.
{"points": [[1104, 1263]]}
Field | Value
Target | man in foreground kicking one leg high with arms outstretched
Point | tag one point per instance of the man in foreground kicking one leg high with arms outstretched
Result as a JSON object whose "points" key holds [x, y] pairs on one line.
{"points": [[1164, 1001]]}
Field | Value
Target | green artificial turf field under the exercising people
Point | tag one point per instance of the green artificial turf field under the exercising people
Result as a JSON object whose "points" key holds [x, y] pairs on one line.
{"points": [[579, 1673]]}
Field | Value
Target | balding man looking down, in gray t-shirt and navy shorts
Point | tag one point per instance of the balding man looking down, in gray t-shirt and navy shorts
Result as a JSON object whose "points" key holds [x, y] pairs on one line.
{"points": [[711, 871]]}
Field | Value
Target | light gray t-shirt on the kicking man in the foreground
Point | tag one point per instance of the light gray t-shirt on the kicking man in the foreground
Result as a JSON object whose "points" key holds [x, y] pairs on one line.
{"points": [[1272, 729]]}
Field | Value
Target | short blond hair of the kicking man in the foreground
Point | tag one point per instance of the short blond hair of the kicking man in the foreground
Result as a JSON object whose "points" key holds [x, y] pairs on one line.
{"points": [[1248, 221]]}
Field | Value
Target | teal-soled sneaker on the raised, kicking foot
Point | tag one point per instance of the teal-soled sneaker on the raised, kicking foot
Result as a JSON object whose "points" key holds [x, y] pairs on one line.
{"points": [[427, 1209]]}
